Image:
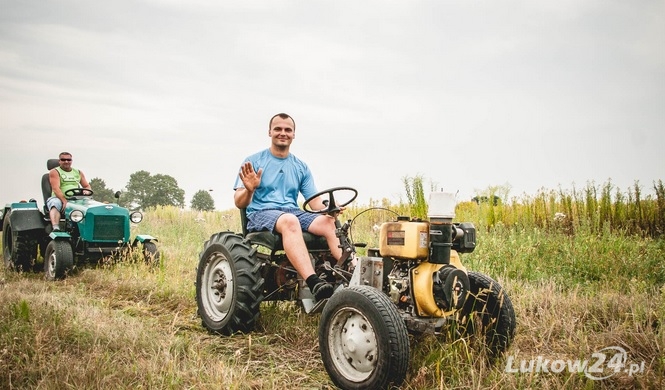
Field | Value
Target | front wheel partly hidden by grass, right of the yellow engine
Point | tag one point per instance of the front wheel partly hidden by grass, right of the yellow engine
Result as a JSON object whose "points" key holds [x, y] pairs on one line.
{"points": [[488, 312]]}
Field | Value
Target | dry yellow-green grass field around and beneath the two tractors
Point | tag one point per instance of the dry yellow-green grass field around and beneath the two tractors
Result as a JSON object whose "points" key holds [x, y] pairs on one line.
{"points": [[127, 325]]}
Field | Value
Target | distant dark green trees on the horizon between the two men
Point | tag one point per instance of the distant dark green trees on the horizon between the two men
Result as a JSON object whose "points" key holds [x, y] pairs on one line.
{"points": [[145, 191]]}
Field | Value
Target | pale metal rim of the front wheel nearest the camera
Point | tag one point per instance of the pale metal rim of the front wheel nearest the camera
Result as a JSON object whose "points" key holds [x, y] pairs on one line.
{"points": [[353, 344]]}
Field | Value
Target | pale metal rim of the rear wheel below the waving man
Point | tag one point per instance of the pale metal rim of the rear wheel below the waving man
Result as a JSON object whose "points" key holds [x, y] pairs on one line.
{"points": [[218, 287]]}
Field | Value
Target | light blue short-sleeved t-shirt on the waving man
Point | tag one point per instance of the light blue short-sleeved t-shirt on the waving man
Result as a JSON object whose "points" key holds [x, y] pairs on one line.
{"points": [[282, 180]]}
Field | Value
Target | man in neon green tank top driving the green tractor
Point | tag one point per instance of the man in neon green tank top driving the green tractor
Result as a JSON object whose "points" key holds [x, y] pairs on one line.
{"points": [[63, 178]]}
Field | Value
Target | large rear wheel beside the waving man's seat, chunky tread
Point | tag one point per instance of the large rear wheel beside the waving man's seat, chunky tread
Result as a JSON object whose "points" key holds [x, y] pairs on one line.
{"points": [[229, 285]]}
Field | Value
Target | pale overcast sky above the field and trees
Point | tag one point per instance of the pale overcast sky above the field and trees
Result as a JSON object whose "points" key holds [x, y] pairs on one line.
{"points": [[467, 94]]}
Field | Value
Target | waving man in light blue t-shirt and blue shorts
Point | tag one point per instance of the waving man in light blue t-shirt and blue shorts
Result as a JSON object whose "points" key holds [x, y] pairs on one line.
{"points": [[268, 186]]}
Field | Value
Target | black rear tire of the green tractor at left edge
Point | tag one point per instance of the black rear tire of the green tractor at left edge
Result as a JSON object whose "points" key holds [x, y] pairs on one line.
{"points": [[19, 249]]}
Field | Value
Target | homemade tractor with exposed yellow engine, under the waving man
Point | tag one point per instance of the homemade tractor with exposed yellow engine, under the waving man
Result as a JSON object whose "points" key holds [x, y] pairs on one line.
{"points": [[414, 282]]}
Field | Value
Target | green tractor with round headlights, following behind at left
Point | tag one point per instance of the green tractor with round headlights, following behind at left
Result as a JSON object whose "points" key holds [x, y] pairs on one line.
{"points": [[89, 231]]}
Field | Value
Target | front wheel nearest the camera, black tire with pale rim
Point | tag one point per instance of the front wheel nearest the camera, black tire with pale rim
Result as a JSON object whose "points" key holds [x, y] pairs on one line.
{"points": [[363, 339]]}
